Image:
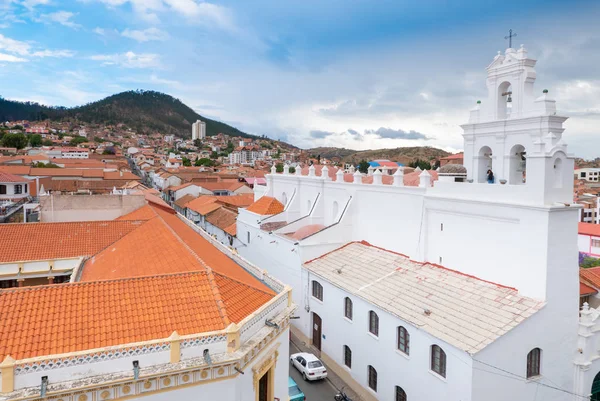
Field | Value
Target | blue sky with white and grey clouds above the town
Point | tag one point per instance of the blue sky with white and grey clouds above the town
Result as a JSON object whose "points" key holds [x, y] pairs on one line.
{"points": [[359, 74]]}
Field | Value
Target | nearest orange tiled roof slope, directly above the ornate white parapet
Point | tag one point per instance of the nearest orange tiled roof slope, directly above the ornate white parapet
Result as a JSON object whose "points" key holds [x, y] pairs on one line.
{"points": [[81, 316]]}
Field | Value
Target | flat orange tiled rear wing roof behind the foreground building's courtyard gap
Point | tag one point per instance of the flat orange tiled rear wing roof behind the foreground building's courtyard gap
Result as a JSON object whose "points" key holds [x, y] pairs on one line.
{"points": [[43, 241]]}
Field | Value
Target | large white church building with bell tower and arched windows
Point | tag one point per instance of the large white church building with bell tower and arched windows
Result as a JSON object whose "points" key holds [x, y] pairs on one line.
{"points": [[482, 277]]}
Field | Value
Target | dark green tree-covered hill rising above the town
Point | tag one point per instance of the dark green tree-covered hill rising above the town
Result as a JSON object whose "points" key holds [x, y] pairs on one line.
{"points": [[143, 111]]}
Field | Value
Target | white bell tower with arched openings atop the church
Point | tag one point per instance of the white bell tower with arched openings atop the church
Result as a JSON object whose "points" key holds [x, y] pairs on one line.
{"points": [[518, 135]]}
